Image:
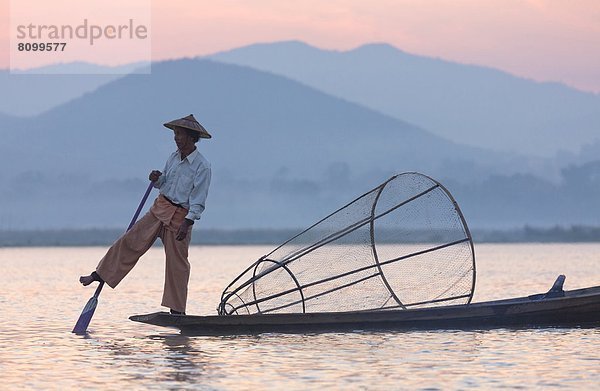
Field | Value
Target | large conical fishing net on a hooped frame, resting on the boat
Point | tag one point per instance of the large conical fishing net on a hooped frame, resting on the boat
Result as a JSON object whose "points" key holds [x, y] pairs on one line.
{"points": [[404, 244]]}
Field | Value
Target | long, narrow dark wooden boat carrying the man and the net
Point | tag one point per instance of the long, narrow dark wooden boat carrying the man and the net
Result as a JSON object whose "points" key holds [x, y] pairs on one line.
{"points": [[556, 308]]}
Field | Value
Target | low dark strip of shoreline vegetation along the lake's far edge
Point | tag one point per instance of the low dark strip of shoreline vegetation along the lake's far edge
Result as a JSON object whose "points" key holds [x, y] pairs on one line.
{"points": [[105, 237]]}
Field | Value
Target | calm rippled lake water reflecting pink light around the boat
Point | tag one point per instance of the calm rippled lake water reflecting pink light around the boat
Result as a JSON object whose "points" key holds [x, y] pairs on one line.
{"points": [[41, 299]]}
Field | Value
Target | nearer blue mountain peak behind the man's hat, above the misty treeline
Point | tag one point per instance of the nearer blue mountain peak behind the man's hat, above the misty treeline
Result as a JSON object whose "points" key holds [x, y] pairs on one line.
{"points": [[263, 123]]}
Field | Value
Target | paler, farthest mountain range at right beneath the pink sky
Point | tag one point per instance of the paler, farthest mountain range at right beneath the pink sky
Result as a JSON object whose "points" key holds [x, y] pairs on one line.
{"points": [[469, 104]]}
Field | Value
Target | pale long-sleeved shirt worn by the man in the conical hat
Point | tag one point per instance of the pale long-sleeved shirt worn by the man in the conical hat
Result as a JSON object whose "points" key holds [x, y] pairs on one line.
{"points": [[186, 182]]}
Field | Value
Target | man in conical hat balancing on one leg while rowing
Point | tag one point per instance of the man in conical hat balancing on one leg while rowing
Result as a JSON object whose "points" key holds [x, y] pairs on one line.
{"points": [[183, 186]]}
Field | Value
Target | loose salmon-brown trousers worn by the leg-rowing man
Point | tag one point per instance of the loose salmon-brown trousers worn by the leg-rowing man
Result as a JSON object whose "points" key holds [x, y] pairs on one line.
{"points": [[162, 221]]}
